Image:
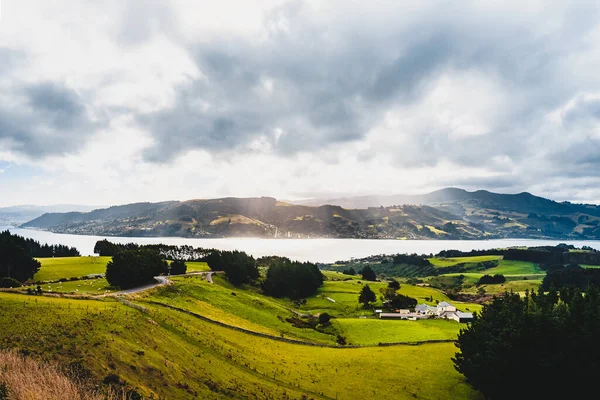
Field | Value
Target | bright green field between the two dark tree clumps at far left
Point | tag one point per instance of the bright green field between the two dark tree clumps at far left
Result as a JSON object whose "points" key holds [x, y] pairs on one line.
{"points": [[70, 267]]}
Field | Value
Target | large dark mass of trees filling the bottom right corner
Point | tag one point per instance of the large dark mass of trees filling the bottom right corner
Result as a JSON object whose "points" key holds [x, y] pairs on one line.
{"points": [[546, 337]]}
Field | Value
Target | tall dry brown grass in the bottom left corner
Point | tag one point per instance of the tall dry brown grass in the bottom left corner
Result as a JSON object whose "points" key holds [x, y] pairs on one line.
{"points": [[24, 378]]}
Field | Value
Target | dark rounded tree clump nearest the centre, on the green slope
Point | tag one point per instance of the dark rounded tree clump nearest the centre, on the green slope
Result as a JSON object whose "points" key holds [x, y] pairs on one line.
{"points": [[292, 279]]}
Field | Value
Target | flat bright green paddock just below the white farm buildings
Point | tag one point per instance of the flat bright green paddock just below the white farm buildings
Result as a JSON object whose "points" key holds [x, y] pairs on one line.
{"points": [[371, 331]]}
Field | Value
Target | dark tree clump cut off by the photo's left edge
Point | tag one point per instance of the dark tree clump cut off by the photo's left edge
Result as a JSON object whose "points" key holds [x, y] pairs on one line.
{"points": [[17, 261]]}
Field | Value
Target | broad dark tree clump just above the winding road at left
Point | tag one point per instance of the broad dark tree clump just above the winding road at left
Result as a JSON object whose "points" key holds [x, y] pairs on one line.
{"points": [[131, 268]]}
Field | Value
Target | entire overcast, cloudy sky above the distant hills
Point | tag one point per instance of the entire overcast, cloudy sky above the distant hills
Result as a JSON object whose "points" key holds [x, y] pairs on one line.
{"points": [[116, 101]]}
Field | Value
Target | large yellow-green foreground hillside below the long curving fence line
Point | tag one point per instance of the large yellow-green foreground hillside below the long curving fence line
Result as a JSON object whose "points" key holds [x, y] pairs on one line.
{"points": [[172, 355]]}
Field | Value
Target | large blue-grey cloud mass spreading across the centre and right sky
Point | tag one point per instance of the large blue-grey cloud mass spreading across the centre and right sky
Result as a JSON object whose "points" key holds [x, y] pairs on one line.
{"points": [[331, 87]]}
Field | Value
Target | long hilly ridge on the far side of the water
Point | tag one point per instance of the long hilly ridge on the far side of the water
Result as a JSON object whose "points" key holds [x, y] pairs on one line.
{"points": [[445, 214]]}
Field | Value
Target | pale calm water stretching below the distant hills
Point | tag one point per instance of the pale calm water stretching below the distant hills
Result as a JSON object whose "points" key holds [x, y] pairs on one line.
{"points": [[315, 250]]}
